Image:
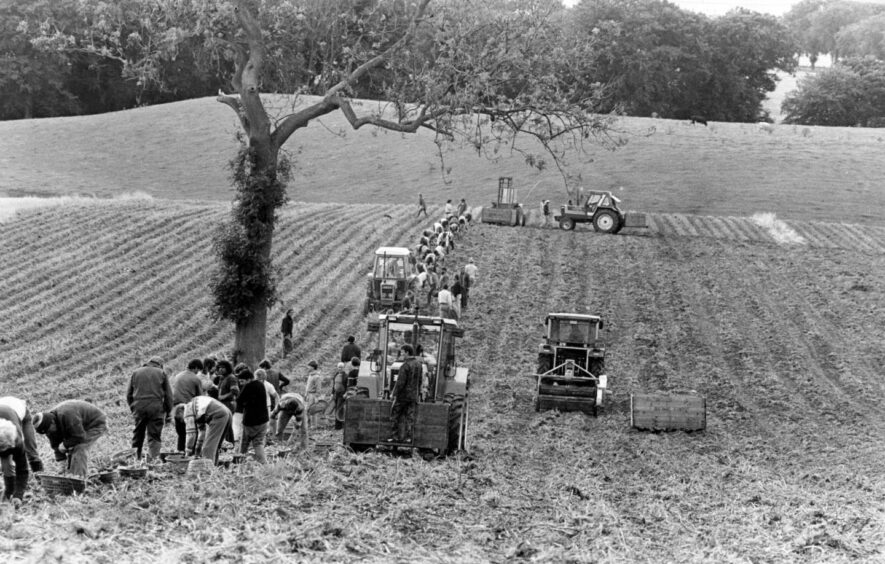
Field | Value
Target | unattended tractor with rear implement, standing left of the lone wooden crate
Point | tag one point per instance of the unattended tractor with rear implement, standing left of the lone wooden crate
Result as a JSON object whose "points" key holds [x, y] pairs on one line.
{"points": [[571, 365]]}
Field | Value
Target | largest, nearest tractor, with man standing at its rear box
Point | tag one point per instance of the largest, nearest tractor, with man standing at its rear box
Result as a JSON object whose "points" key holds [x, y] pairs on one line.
{"points": [[441, 417]]}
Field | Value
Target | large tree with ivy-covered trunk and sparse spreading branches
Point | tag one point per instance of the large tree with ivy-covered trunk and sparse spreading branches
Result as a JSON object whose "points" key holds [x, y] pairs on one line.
{"points": [[484, 73]]}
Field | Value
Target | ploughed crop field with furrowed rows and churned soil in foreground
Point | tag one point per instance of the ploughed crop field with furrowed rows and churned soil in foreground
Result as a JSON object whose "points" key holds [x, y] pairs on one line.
{"points": [[783, 339]]}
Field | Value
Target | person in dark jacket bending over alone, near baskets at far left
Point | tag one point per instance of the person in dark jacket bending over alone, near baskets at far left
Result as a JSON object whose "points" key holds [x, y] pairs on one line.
{"points": [[72, 427]]}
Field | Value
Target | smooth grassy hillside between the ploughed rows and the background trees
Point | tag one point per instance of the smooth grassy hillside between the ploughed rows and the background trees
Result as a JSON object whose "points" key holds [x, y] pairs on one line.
{"points": [[180, 151]]}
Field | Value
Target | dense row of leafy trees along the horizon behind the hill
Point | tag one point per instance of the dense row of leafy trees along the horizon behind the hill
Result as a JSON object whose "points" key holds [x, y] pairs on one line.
{"points": [[639, 57]]}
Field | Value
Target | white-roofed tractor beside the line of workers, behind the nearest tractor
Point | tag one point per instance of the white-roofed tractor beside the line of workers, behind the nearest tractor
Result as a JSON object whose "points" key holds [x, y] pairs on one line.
{"points": [[391, 278]]}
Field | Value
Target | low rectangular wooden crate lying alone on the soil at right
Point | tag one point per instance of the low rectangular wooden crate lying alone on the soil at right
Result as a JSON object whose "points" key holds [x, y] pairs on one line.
{"points": [[668, 412]]}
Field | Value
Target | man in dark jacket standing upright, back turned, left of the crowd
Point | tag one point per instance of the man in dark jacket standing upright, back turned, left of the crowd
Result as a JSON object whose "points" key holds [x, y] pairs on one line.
{"points": [[150, 400]]}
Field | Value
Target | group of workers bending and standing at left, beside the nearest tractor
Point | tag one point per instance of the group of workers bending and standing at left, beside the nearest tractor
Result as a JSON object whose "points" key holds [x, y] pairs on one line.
{"points": [[210, 402]]}
